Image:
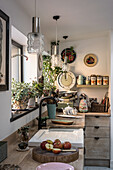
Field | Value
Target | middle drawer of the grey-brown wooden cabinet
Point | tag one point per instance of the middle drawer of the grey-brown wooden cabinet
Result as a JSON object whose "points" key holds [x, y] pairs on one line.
{"points": [[97, 131]]}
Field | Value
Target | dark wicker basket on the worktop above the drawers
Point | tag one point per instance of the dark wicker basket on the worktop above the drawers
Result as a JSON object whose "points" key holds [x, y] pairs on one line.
{"points": [[97, 107]]}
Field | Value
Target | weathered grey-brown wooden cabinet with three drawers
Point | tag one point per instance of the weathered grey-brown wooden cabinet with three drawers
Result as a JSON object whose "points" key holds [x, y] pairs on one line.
{"points": [[97, 140]]}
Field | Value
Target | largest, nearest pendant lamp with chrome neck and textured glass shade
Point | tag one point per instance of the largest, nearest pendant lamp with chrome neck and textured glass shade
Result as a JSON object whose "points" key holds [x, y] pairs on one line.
{"points": [[35, 38]]}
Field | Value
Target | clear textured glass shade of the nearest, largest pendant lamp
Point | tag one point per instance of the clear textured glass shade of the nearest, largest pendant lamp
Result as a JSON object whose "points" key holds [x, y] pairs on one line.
{"points": [[35, 43]]}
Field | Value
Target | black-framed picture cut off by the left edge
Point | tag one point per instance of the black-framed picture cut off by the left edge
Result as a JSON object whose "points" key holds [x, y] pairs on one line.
{"points": [[4, 51]]}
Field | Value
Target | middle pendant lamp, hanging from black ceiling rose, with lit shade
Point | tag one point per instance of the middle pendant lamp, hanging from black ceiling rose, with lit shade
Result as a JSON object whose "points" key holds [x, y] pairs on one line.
{"points": [[55, 56]]}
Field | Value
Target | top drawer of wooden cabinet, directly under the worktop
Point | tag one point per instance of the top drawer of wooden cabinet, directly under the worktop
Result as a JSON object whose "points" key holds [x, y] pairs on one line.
{"points": [[97, 121]]}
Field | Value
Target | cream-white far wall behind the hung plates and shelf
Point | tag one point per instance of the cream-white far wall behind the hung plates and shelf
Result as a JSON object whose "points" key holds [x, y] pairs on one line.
{"points": [[98, 46]]}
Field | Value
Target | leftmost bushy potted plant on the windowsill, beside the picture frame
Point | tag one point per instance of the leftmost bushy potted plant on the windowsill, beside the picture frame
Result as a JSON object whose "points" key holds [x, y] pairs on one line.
{"points": [[20, 94]]}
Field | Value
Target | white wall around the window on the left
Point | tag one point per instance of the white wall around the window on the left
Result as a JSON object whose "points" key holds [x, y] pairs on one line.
{"points": [[22, 22]]}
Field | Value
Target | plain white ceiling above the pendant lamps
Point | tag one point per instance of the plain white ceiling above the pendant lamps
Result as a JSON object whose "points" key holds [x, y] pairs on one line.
{"points": [[79, 18]]}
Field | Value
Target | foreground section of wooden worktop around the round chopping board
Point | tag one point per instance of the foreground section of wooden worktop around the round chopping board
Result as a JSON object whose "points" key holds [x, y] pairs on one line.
{"points": [[25, 161]]}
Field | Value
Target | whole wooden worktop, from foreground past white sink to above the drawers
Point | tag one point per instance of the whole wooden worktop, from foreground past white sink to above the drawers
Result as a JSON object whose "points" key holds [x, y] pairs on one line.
{"points": [[24, 159]]}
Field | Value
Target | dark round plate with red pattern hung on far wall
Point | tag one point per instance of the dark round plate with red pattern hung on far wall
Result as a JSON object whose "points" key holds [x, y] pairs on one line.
{"points": [[70, 54]]}
